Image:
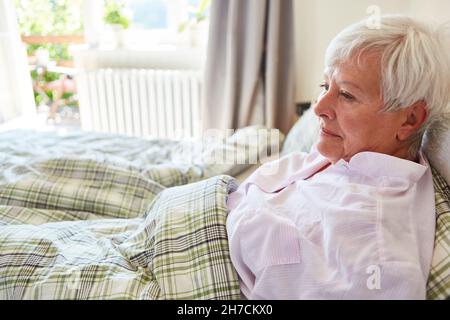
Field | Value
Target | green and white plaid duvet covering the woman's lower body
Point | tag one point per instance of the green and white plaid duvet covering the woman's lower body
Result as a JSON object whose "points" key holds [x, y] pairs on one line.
{"points": [[79, 229]]}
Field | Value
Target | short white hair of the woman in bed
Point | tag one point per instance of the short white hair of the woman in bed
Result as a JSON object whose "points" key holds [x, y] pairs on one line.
{"points": [[415, 63]]}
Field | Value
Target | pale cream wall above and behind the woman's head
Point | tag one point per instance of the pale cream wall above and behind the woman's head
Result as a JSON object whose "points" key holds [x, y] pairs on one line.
{"points": [[318, 21]]}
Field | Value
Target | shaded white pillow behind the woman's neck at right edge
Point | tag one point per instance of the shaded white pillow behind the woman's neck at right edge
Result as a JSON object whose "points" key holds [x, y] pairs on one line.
{"points": [[437, 147]]}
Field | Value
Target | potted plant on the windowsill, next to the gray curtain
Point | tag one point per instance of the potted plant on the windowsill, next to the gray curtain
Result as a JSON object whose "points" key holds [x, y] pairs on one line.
{"points": [[196, 24]]}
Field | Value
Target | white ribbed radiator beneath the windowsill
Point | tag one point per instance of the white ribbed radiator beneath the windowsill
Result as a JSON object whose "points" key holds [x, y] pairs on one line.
{"points": [[141, 102]]}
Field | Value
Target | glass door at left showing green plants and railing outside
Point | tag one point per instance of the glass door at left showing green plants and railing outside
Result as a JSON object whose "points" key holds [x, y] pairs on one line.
{"points": [[48, 28]]}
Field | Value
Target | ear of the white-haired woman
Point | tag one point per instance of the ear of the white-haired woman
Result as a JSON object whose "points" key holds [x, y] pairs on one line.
{"points": [[415, 116]]}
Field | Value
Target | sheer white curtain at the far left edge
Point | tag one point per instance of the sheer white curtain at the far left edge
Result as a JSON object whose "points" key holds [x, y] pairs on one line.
{"points": [[16, 92]]}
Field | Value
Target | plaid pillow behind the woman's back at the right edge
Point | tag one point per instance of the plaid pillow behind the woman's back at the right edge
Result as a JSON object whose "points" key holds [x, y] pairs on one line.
{"points": [[438, 285]]}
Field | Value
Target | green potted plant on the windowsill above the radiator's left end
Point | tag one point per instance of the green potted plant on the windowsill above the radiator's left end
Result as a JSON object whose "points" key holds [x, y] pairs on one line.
{"points": [[117, 18]]}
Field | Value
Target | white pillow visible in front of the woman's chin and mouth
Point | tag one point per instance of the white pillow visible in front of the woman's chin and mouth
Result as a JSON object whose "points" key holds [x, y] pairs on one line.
{"points": [[303, 134]]}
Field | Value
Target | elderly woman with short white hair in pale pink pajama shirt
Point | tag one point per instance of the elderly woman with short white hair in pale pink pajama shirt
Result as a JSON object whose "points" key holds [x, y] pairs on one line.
{"points": [[355, 218]]}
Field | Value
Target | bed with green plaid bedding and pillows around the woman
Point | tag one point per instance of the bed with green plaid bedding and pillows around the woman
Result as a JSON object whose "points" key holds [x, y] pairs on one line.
{"points": [[98, 216]]}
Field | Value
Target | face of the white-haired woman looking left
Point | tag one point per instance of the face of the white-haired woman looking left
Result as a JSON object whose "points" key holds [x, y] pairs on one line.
{"points": [[349, 112]]}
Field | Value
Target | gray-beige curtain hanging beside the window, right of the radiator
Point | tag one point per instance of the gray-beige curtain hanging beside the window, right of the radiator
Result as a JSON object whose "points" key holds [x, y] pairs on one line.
{"points": [[249, 71]]}
